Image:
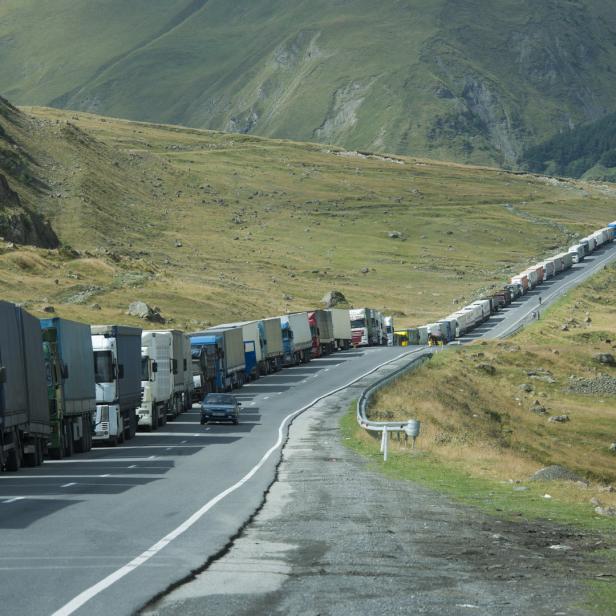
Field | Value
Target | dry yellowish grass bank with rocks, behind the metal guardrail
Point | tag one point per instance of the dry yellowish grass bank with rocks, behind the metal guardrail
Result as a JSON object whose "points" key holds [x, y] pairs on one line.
{"points": [[489, 428]]}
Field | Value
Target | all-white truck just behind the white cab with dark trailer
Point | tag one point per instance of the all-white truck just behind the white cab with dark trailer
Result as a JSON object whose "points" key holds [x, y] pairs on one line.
{"points": [[156, 379]]}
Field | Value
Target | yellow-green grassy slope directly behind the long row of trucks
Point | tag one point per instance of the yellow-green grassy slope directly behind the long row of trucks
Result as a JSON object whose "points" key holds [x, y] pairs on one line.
{"points": [[214, 227]]}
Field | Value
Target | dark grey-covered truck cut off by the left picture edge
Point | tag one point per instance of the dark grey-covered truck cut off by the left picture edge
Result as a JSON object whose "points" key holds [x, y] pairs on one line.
{"points": [[24, 412]]}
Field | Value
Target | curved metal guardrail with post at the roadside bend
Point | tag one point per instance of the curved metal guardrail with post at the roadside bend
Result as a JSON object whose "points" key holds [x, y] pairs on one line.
{"points": [[410, 427]]}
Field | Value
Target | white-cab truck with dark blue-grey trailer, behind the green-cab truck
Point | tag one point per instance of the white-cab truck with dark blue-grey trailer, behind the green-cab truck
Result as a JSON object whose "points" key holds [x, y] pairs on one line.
{"points": [[117, 373]]}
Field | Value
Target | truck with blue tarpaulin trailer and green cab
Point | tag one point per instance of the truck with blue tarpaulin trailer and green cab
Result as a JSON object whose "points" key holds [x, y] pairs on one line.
{"points": [[71, 388]]}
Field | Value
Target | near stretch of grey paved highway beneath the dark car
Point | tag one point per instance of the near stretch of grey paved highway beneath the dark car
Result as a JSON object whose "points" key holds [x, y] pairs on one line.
{"points": [[104, 532]]}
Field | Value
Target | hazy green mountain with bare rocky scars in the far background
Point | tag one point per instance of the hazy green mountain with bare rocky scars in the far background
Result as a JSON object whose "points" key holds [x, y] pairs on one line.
{"points": [[474, 81]]}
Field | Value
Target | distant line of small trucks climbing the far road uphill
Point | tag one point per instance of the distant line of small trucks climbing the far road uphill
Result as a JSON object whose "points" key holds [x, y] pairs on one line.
{"points": [[467, 318]]}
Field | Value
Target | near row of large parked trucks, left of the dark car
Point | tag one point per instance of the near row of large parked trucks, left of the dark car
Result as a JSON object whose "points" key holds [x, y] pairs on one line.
{"points": [[66, 385]]}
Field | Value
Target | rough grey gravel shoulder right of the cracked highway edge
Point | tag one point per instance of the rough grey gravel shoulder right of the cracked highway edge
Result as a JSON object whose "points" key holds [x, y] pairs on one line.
{"points": [[336, 538]]}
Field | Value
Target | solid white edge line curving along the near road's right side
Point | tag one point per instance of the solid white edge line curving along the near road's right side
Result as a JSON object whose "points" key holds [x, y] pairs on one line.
{"points": [[94, 590]]}
